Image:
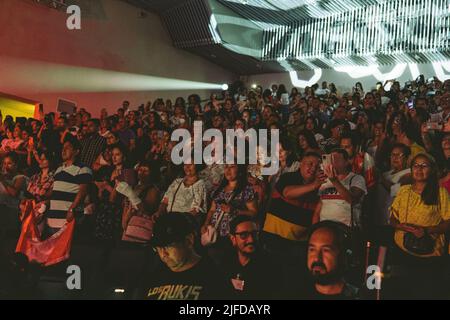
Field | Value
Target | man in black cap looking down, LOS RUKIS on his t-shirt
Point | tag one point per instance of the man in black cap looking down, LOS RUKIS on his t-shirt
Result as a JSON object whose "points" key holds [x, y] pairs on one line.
{"points": [[184, 275]]}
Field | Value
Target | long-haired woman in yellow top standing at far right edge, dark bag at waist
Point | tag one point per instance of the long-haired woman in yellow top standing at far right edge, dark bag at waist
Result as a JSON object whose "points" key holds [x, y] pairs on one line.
{"points": [[420, 215]]}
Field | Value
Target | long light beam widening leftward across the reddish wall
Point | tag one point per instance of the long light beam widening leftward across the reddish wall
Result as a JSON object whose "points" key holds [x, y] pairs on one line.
{"points": [[25, 76]]}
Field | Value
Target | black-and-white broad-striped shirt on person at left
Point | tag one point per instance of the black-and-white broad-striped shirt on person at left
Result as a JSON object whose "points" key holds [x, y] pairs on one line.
{"points": [[65, 189]]}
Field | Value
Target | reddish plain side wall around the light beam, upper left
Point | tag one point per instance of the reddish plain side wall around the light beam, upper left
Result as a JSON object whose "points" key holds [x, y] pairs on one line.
{"points": [[117, 39]]}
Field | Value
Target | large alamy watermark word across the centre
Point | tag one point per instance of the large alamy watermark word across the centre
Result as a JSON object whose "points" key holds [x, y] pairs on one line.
{"points": [[257, 144]]}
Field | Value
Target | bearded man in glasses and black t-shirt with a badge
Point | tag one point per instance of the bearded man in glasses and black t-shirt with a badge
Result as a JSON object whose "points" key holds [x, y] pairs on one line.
{"points": [[251, 272]]}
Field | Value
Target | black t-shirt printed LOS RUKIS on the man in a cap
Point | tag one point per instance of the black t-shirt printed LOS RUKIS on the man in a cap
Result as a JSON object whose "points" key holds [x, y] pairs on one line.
{"points": [[202, 282]]}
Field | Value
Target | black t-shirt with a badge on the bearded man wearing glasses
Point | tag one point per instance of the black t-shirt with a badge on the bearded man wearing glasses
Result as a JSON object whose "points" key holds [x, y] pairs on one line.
{"points": [[260, 279]]}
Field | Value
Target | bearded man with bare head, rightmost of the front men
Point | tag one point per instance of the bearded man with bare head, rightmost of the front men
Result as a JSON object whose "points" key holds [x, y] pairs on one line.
{"points": [[326, 262]]}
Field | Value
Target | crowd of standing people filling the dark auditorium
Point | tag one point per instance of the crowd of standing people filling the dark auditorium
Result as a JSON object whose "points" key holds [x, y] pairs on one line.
{"points": [[355, 168]]}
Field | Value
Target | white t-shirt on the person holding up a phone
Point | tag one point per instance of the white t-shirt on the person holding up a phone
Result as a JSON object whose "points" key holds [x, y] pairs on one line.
{"points": [[334, 207]]}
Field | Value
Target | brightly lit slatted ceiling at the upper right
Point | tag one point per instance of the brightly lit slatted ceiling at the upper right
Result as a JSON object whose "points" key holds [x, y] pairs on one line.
{"points": [[259, 36]]}
